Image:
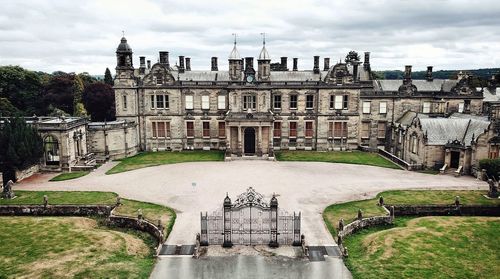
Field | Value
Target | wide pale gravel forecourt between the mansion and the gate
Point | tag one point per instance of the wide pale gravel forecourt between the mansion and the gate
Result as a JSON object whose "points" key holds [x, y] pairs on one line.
{"points": [[301, 186]]}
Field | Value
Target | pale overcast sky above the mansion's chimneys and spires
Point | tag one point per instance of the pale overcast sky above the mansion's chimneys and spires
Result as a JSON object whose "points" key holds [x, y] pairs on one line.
{"points": [[82, 36]]}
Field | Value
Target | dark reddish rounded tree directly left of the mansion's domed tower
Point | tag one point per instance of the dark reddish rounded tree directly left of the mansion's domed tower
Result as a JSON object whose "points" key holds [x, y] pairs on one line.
{"points": [[99, 100]]}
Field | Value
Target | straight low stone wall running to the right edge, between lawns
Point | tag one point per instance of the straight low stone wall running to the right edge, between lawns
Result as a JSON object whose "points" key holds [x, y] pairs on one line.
{"points": [[446, 210]]}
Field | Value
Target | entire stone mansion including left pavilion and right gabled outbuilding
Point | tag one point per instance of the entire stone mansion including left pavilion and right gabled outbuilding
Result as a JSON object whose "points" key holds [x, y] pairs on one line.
{"points": [[255, 109]]}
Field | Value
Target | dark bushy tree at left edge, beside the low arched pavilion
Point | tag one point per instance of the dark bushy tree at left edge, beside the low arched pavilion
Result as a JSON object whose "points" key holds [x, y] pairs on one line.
{"points": [[21, 145]]}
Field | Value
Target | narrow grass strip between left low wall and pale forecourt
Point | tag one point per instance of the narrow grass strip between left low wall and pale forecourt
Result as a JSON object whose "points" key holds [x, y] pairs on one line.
{"points": [[151, 212]]}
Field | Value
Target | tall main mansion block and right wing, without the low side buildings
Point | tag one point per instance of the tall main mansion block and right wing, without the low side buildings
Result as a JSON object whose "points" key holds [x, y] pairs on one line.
{"points": [[249, 110]]}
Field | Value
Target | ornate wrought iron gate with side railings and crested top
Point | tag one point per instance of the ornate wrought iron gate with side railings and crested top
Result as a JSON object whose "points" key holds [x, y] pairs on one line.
{"points": [[250, 220]]}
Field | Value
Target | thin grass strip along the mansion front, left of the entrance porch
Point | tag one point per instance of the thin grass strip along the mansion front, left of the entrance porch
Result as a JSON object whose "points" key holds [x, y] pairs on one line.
{"points": [[148, 159]]}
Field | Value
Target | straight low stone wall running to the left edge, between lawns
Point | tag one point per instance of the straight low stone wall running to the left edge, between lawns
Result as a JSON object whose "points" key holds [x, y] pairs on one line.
{"points": [[56, 210]]}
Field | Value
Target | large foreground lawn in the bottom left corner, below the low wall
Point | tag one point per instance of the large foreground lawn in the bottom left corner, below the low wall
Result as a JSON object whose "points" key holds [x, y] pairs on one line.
{"points": [[72, 247]]}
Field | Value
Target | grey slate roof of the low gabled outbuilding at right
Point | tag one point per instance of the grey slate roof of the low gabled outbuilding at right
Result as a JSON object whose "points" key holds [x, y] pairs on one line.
{"points": [[440, 131]]}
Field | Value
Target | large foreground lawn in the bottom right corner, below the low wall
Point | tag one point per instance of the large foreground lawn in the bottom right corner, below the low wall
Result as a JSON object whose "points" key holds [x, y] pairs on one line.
{"points": [[427, 247]]}
